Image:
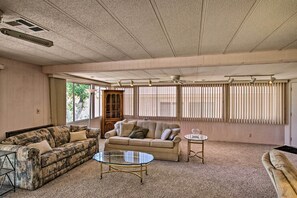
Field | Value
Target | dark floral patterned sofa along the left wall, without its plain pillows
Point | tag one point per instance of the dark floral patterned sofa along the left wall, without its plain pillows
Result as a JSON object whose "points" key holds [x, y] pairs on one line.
{"points": [[34, 170]]}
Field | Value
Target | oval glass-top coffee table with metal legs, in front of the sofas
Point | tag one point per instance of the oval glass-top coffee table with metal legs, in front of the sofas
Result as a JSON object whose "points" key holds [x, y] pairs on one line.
{"points": [[132, 162]]}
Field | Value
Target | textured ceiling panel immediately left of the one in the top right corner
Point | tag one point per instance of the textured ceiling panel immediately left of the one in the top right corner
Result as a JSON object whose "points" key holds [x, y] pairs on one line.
{"points": [[222, 19]]}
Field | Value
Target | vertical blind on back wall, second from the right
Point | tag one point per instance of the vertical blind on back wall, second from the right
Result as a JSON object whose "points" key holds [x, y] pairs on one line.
{"points": [[202, 102]]}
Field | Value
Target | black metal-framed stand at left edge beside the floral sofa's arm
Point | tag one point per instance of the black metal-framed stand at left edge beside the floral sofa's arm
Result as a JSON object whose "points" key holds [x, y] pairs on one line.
{"points": [[7, 174]]}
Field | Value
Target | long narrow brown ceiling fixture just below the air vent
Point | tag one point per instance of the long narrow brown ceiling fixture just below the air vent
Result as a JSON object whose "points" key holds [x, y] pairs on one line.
{"points": [[27, 37]]}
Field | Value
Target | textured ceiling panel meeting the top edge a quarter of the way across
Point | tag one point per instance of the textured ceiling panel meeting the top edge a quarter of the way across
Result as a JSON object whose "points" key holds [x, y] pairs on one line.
{"points": [[101, 23]]}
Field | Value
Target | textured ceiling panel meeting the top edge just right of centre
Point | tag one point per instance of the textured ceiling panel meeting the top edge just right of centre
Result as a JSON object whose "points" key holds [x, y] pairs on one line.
{"points": [[182, 22]]}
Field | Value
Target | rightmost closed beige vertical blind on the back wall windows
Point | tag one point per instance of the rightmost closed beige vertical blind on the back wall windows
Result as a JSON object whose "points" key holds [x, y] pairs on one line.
{"points": [[259, 103]]}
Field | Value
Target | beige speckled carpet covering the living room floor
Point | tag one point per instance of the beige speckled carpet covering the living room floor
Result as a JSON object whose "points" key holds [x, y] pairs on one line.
{"points": [[230, 170]]}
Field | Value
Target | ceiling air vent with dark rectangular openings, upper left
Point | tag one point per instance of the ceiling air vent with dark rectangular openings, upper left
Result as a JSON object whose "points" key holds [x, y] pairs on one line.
{"points": [[25, 25]]}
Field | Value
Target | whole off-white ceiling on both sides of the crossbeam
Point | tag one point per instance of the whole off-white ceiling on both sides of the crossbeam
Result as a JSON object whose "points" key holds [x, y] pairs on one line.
{"points": [[115, 30]]}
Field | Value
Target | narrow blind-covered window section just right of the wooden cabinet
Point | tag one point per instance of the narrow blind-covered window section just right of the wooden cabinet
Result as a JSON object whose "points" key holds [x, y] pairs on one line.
{"points": [[128, 100]]}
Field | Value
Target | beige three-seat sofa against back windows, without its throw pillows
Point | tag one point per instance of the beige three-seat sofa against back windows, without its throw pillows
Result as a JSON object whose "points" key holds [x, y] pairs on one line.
{"points": [[160, 149]]}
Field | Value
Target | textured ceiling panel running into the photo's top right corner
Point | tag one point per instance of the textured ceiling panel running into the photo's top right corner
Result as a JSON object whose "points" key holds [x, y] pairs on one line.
{"points": [[266, 18]]}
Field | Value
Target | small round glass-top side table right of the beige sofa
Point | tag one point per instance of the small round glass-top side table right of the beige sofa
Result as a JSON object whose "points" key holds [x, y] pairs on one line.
{"points": [[196, 139]]}
